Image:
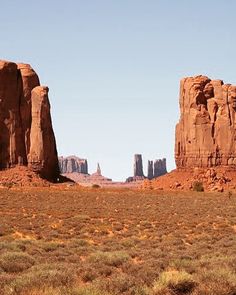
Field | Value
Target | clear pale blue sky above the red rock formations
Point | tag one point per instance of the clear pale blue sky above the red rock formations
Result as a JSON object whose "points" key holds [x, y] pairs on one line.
{"points": [[113, 68]]}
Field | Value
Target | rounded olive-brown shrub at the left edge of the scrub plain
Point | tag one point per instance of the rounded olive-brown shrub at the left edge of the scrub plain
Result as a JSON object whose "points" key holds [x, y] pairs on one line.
{"points": [[16, 261]]}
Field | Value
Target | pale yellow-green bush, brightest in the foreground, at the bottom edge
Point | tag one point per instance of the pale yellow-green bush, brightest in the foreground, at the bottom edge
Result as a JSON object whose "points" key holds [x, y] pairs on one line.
{"points": [[177, 281]]}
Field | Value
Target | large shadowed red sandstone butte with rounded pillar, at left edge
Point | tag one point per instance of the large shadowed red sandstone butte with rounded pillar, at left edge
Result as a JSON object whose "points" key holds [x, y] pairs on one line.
{"points": [[26, 136]]}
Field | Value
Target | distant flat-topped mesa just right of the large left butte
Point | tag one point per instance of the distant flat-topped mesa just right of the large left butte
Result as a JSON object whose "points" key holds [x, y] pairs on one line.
{"points": [[73, 164]]}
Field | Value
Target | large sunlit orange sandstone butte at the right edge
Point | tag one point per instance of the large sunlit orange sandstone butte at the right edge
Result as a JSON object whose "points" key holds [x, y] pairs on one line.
{"points": [[206, 132]]}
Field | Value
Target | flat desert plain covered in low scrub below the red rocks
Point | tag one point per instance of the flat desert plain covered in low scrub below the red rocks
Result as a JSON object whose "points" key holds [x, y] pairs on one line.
{"points": [[112, 242]]}
